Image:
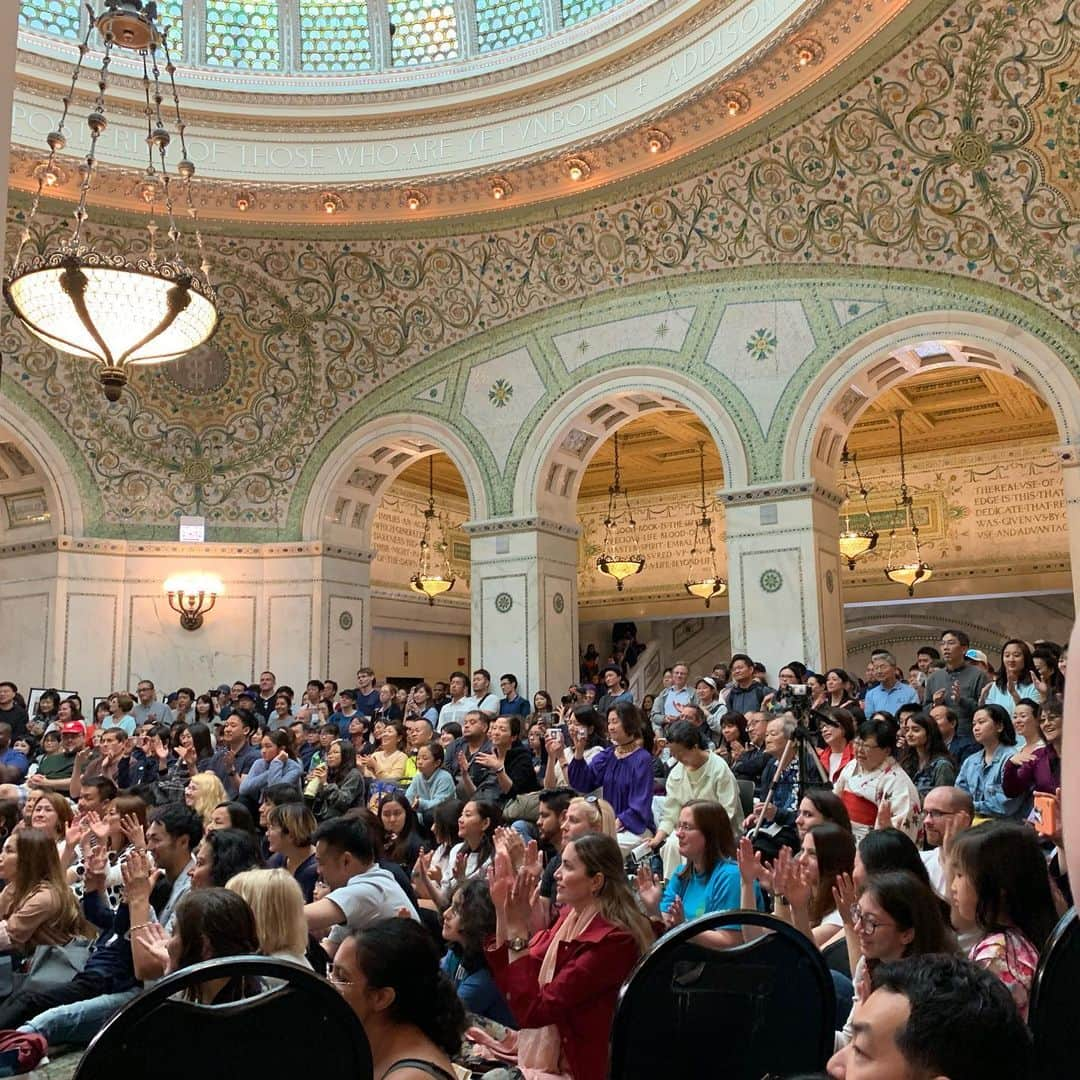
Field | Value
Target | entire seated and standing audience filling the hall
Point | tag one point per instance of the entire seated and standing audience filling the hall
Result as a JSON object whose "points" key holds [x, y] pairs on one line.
{"points": [[479, 872]]}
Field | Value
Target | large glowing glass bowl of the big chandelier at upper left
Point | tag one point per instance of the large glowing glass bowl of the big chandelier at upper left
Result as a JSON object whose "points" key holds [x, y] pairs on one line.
{"points": [[113, 310]]}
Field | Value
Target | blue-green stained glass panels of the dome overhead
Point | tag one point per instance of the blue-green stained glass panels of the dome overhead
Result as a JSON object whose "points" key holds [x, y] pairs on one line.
{"points": [[314, 37]]}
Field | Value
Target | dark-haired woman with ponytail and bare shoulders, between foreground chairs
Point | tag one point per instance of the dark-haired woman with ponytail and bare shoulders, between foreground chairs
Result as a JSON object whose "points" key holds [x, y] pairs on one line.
{"points": [[389, 974]]}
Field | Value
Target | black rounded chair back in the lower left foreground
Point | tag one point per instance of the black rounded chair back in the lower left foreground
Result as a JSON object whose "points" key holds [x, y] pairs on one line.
{"points": [[282, 1032]]}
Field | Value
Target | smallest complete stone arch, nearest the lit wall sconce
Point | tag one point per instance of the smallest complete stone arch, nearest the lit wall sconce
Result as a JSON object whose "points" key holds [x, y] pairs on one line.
{"points": [[352, 482]]}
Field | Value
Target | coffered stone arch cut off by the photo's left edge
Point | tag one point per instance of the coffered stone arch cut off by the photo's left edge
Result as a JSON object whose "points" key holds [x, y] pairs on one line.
{"points": [[51, 472]]}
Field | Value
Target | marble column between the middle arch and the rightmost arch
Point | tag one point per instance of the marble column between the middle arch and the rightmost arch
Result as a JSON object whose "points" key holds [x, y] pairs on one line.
{"points": [[785, 575]]}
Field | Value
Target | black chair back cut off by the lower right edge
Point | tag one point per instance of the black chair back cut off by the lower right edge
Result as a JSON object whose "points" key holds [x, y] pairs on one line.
{"points": [[1052, 1012]]}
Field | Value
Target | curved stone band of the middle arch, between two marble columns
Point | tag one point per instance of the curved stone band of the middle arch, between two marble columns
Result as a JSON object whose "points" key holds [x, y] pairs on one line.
{"points": [[561, 445]]}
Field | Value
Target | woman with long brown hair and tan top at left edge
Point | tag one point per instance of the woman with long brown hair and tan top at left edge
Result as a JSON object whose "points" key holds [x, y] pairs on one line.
{"points": [[37, 907]]}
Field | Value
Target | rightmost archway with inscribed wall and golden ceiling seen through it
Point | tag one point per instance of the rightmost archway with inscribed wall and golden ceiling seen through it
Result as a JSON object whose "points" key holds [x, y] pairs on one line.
{"points": [[990, 420]]}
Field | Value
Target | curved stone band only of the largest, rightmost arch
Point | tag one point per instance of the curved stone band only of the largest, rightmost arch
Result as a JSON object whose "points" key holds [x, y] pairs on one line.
{"points": [[833, 402]]}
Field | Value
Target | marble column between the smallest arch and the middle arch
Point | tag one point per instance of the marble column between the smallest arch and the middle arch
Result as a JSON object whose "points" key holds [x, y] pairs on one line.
{"points": [[524, 590]]}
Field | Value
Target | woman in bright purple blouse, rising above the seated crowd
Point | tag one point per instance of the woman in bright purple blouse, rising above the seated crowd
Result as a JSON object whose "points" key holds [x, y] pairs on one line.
{"points": [[623, 771]]}
